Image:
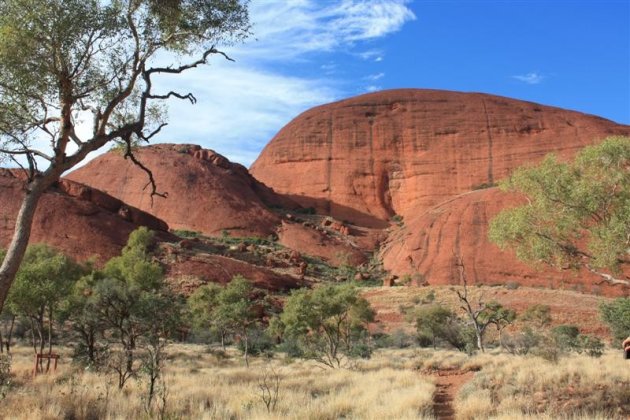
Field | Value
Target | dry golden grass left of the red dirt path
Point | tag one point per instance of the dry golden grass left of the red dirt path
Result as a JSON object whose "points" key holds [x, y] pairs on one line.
{"points": [[200, 385]]}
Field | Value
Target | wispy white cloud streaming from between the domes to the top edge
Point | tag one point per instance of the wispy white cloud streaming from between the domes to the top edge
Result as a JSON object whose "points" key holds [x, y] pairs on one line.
{"points": [[242, 105]]}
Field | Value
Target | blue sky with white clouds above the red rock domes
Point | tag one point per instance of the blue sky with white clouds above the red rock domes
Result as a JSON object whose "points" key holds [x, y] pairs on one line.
{"points": [[572, 54]]}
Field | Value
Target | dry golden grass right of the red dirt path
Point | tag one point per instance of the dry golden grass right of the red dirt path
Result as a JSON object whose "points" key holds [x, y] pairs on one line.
{"points": [[577, 386]]}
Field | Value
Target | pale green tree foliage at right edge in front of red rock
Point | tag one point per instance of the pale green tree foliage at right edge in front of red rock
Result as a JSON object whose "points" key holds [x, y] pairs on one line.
{"points": [[569, 205]]}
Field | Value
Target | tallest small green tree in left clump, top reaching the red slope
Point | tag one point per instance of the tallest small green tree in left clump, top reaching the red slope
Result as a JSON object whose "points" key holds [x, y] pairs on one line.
{"points": [[134, 308]]}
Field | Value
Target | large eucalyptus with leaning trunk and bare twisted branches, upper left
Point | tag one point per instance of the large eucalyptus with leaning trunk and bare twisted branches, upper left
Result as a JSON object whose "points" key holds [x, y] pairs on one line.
{"points": [[76, 75]]}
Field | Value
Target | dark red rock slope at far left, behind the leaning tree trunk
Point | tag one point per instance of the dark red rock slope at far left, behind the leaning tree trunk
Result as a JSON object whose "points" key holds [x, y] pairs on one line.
{"points": [[75, 219]]}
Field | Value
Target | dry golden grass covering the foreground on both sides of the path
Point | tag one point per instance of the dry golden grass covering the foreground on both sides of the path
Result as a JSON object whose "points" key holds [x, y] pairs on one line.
{"points": [[394, 384]]}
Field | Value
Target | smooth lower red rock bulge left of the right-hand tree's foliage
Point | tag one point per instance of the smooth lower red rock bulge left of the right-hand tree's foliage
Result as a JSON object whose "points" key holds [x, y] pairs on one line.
{"points": [[430, 240]]}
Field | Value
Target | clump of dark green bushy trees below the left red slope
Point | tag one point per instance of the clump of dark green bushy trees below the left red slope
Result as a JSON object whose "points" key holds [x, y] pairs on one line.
{"points": [[123, 307]]}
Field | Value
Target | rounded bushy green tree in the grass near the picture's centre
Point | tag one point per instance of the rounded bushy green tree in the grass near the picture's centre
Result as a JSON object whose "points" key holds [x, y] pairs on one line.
{"points": [[327, 323]]}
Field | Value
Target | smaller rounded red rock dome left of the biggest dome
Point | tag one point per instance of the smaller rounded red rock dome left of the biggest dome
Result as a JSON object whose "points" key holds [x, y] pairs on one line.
{"points": [[206, 192]]}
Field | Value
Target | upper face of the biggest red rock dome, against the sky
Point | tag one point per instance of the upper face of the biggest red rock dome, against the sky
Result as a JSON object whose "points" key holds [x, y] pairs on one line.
{"points": [[401, 152]]}
